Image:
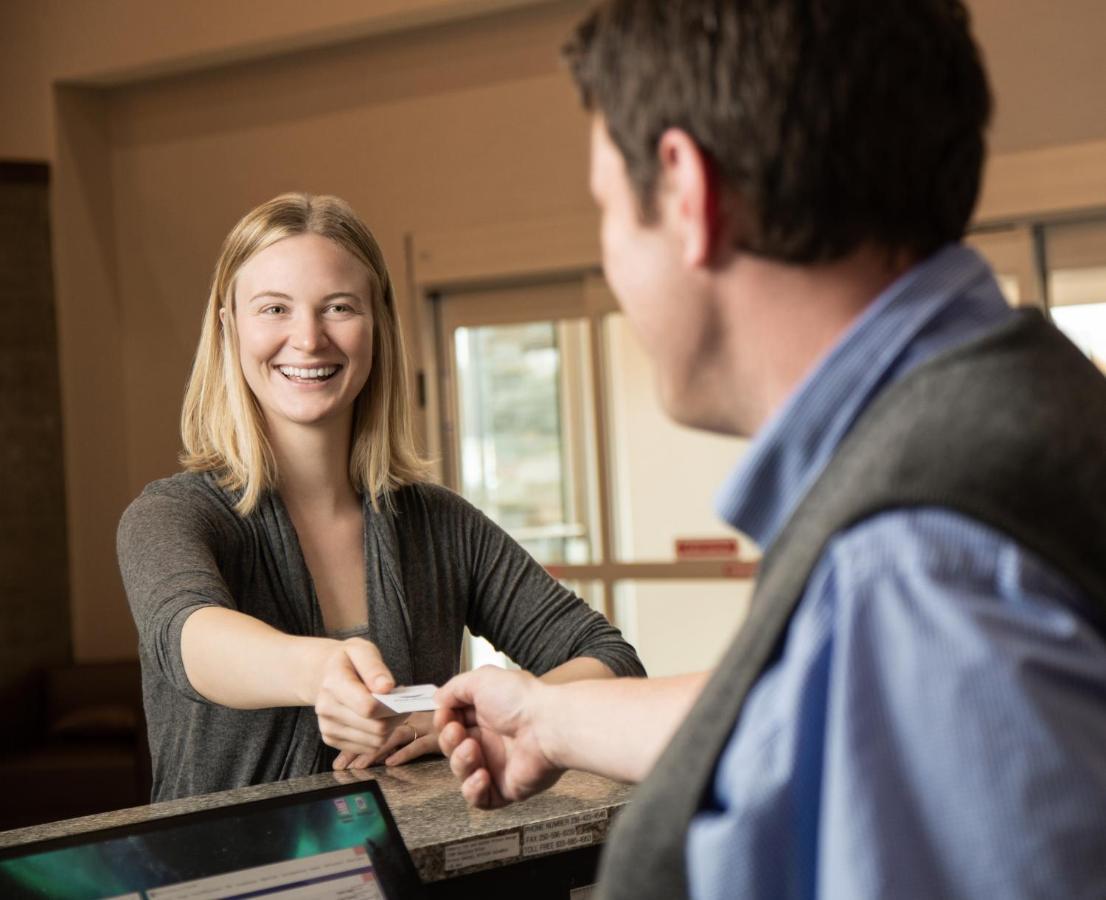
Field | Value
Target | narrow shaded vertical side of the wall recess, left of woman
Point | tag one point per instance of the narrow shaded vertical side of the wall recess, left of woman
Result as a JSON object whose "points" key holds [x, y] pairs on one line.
{"points": [[91, 330]]}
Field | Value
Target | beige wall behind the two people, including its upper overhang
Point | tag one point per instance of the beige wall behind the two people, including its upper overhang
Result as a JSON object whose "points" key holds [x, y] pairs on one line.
{"points": [[166, 121]]}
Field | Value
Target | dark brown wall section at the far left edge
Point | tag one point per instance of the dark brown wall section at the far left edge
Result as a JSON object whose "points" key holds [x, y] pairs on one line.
{"points": [[35, 609]]}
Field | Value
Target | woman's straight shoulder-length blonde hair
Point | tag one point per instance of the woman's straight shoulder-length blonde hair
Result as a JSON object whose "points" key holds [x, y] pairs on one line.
{"points": [[223, 427]]}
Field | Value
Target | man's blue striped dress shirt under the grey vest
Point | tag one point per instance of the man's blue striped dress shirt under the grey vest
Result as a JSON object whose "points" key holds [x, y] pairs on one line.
{"points": [[936, 725]]}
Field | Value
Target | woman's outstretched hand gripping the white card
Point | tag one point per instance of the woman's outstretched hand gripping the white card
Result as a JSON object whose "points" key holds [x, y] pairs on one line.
{"points": [[350, 718]]}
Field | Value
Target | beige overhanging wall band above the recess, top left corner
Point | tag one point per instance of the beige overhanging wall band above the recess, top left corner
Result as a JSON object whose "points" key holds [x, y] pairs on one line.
{"points": [[48, 43]]}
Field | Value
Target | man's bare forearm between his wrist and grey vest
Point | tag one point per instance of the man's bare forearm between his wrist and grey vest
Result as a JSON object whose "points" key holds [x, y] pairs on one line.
{"points": [[614, 728]]}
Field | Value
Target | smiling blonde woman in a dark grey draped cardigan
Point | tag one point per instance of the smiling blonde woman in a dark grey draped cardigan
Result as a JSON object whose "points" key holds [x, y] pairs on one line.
{"points": [[301, 561]]}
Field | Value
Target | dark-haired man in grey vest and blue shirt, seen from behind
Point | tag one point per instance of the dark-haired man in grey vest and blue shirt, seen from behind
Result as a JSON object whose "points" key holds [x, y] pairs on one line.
{"points": [[917, 705]]}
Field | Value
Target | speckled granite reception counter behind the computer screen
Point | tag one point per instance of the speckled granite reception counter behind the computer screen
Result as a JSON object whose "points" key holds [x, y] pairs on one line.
{"points": [[545, 847]]}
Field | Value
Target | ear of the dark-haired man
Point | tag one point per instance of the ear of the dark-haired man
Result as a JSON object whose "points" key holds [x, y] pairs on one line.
{"points": [[693, 196]]}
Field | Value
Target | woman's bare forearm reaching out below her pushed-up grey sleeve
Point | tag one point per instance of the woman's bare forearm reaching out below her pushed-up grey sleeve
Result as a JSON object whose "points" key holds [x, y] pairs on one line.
{"points": [[239, 662]]}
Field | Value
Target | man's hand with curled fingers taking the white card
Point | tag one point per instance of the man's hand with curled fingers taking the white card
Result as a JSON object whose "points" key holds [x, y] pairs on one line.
{"points": [[487, 724]]}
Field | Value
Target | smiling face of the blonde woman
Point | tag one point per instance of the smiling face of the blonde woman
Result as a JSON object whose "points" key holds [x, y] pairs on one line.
{"points": [[305, 318]]}
